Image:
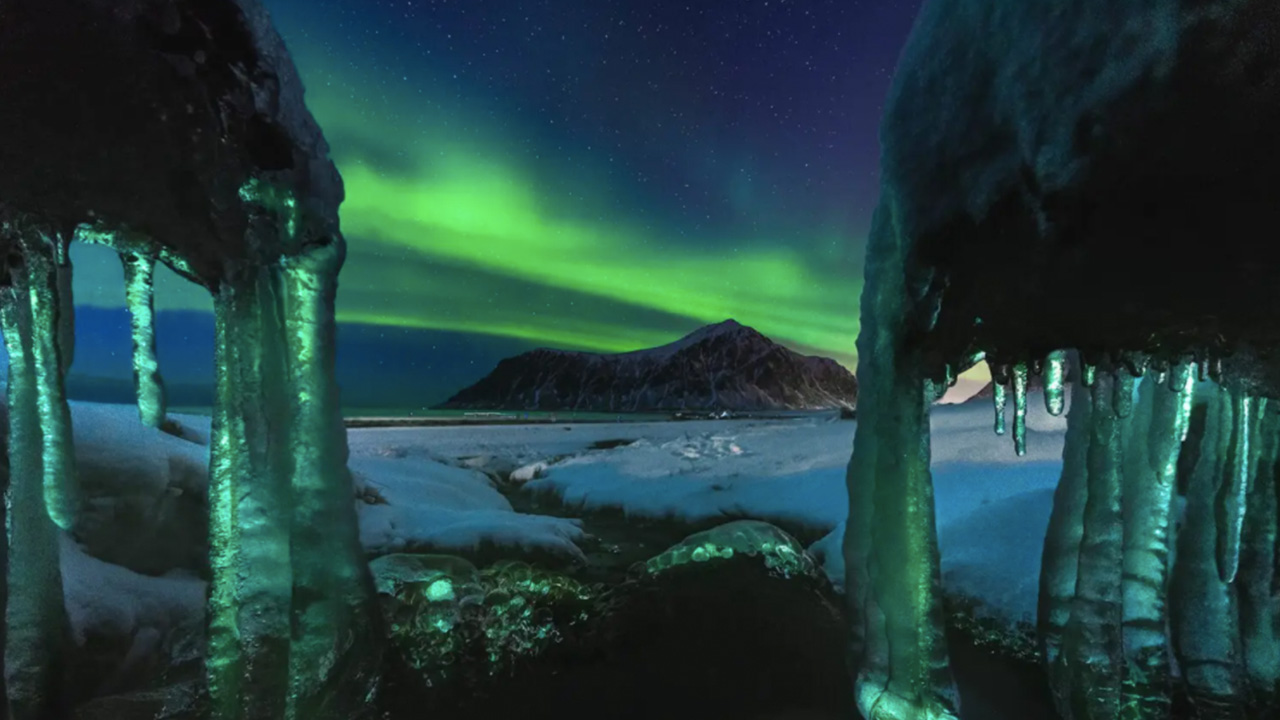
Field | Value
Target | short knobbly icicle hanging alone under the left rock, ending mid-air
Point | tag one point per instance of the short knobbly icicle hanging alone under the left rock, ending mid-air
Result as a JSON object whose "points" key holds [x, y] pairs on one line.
{"points": [[139, 299]]}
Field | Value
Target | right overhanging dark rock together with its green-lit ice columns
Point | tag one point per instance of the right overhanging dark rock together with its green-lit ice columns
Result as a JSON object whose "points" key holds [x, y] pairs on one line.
{"points": [[1032, 204]]}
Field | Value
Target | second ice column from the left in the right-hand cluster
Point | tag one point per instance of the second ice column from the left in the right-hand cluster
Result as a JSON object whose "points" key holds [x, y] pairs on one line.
{"points": [[1092, 645]]}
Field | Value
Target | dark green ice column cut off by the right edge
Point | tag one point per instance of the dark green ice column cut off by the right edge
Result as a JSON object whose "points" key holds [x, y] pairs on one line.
{"points": [[1258, 577]]}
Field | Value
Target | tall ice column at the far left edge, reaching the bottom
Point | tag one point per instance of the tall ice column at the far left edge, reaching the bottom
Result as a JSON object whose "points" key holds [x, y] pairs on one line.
{"points": [[35, 616]]}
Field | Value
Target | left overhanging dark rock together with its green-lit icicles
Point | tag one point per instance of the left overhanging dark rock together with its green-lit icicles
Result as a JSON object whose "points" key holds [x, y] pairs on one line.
{"points": [[193, 148]]}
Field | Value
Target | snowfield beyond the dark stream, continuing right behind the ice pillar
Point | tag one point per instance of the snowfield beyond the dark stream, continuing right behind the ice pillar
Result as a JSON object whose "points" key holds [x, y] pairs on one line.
{"points": [[993, 507]]}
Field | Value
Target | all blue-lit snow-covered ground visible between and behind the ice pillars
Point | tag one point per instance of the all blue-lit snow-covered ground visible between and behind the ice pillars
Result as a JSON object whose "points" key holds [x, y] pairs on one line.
{"points": [[423, 489]]}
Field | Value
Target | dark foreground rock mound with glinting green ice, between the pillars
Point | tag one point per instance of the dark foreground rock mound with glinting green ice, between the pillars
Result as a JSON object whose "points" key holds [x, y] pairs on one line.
{"points": [[702, 631]]}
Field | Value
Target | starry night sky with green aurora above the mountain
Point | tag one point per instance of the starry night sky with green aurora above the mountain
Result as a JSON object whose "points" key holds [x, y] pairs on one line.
{"points": [[598, 176]]}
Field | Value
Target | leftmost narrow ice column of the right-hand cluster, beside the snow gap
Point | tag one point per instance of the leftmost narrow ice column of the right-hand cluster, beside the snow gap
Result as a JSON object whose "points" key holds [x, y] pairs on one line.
{"points": [[1062, 555]]}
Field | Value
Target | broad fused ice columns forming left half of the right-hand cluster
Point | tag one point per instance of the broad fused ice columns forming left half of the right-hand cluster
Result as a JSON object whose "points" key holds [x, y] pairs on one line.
{"points": [[1107, 553]]}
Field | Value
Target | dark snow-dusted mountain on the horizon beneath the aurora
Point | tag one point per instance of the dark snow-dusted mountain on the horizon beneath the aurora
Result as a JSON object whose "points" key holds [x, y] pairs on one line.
{"points": [[721, 367]]}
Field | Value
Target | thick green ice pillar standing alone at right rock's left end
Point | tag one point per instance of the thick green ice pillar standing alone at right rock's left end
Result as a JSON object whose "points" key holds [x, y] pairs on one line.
{"points": [[892, 555]]}
